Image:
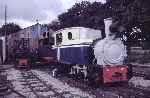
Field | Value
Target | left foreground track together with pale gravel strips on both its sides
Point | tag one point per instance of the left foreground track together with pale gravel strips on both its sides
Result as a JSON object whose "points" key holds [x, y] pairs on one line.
{"points": [[37, 84]]}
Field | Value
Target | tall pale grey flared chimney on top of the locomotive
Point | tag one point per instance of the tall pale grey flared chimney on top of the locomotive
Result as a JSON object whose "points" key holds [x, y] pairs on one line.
{"points": [[107, 22]]}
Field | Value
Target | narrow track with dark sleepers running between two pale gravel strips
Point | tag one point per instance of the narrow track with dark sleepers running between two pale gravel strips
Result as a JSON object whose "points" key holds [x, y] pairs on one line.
{"points": [[31, 79]]}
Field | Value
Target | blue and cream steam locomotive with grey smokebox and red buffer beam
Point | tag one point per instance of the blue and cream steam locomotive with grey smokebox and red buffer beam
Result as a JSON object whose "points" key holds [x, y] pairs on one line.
{"points": [[83, 52]]}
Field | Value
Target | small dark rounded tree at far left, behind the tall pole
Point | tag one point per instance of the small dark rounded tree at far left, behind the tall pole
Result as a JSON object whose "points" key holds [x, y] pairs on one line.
{"points": [[9, 28]]}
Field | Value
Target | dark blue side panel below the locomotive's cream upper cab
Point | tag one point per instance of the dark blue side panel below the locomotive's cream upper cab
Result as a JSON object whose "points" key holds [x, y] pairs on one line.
{"points": [[76, 54]]}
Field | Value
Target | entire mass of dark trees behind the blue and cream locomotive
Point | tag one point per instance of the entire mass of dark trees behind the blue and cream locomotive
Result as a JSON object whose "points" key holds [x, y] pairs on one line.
{"points": [[128, 13]]}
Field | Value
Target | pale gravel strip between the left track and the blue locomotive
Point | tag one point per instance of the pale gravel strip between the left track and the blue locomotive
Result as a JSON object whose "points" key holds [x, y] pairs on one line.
{"points": [[61, 87]]}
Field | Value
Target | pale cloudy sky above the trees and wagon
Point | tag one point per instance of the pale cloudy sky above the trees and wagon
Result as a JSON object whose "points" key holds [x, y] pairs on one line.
{"points": [[26, 12]]}
